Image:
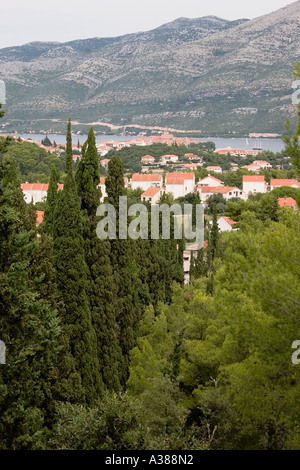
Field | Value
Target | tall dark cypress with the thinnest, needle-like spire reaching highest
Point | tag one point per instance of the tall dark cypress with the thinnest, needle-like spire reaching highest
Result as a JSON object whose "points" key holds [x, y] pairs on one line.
{"points": [[71, 278]]}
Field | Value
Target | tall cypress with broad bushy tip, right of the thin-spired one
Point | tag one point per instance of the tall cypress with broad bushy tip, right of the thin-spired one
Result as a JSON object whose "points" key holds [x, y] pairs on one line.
{"points": [[100, 282]]}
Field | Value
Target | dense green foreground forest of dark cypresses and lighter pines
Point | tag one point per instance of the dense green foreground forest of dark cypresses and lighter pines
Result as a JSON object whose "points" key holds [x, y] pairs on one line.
{"points": [[107, 349]]}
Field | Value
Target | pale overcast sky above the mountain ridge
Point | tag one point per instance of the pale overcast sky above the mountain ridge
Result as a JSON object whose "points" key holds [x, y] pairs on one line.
{"points": [[23, 21]]}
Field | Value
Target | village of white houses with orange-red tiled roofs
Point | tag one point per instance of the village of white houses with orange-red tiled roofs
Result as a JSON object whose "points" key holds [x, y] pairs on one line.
{"points": [[180, 181]]}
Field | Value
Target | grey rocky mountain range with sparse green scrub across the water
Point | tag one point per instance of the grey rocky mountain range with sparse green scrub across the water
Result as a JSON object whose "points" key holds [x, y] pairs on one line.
{"points": [[209, 74]]}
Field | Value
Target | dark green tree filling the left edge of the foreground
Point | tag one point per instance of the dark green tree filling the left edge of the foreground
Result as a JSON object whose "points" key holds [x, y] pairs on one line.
{"points": [[29, 327]]}
